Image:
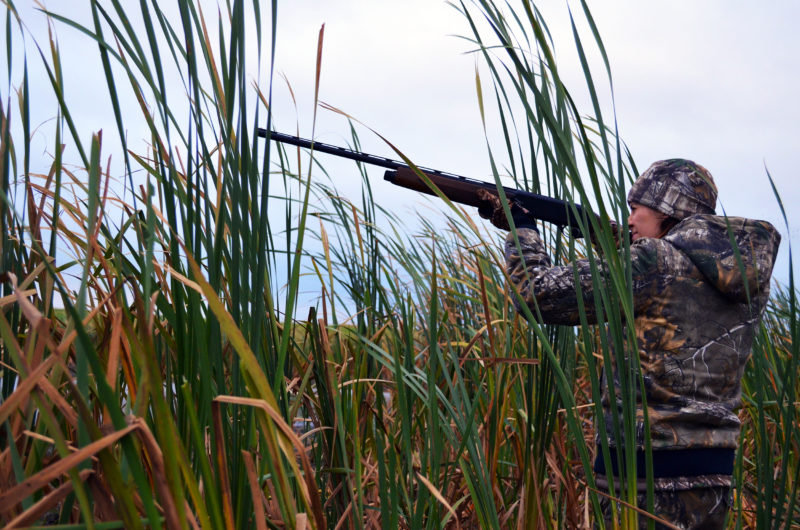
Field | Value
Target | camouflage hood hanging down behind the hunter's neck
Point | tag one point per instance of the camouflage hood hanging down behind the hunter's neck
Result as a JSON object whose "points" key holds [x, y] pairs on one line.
{"points": [[707, 241]]}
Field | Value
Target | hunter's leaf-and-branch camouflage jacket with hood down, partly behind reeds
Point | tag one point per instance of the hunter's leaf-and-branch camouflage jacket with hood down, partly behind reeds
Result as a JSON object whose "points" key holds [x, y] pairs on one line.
{"points": [[694, 324]]}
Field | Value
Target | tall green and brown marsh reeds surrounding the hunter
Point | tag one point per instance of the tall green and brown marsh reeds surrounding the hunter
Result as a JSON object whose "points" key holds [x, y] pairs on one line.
{"points": [[177, 383]]}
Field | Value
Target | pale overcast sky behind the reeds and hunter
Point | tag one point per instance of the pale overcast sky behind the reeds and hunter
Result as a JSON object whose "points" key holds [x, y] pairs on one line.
{"points": [[715, 81]]}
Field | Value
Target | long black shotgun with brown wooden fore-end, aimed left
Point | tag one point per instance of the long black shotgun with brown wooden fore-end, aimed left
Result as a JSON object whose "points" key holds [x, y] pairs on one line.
{"points": [[455, 187]]}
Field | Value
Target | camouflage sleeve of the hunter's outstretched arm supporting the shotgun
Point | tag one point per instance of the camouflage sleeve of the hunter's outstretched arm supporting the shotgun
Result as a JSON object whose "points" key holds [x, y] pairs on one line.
{"points": [[554, 289]]}
